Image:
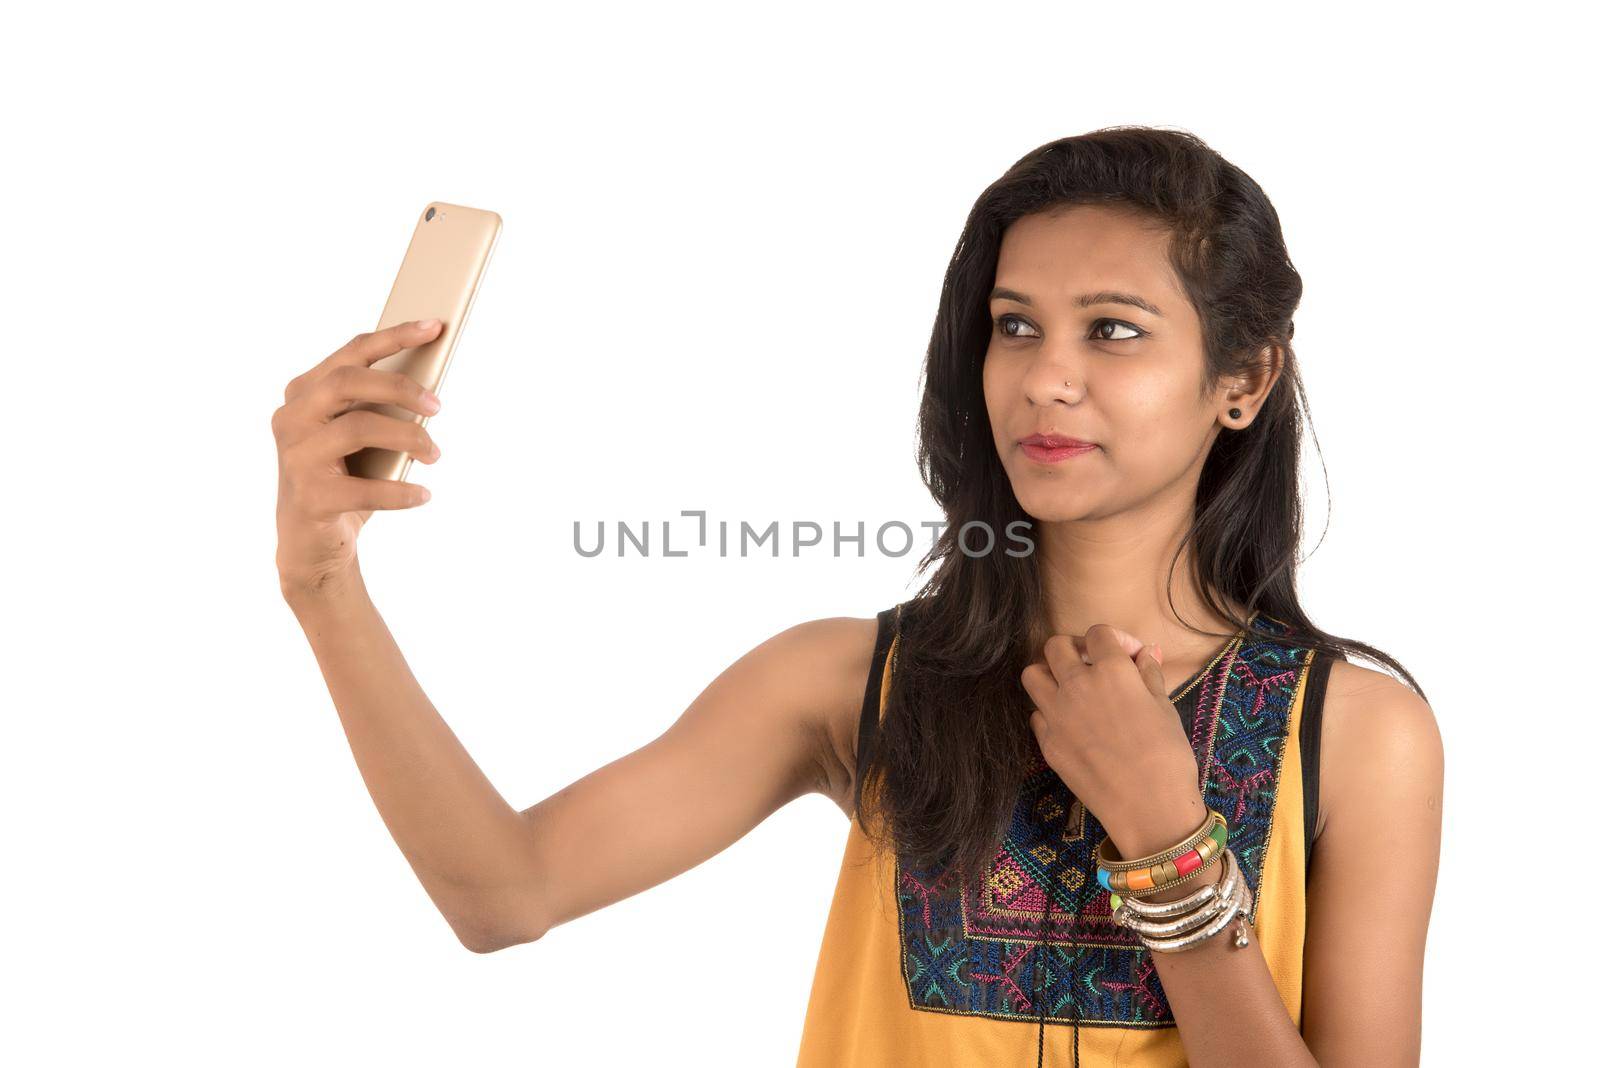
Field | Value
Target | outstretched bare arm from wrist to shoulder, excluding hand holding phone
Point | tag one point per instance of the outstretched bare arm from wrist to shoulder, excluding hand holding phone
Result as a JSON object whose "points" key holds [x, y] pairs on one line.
{"points": [[758, 738]]}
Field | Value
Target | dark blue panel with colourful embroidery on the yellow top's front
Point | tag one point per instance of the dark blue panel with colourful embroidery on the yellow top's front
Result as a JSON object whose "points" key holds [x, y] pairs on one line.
{"points": [[982, 954]]}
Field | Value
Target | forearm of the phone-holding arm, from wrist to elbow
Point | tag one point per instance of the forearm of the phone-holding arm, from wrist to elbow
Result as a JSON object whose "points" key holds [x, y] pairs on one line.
{"points": [[468, 847]]}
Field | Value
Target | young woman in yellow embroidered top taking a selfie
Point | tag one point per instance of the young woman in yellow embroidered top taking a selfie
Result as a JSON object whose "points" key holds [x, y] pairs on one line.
{"points": [[1114, 799]]}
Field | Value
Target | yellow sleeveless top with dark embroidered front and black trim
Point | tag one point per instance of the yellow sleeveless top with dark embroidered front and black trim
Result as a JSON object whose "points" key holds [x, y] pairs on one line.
{"points": [[911, 973]]}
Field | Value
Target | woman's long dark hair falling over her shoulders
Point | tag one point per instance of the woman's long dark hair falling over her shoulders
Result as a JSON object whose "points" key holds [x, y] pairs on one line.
{"points": [[967, 636]]}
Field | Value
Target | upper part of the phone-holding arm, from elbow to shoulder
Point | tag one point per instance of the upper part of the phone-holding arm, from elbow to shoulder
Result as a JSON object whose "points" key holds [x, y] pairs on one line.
{"points": [[759, 736]]}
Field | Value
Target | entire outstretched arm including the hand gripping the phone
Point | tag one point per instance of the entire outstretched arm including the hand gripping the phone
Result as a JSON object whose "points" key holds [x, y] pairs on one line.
{"points": [[766, 731]]}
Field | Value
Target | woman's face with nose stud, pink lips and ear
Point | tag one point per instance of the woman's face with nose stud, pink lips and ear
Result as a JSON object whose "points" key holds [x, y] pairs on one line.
{"points": [[1071, 356]]}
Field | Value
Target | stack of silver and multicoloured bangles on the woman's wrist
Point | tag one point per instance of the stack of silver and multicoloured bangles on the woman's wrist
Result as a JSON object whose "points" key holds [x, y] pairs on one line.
{"points": [[1170, 927]]}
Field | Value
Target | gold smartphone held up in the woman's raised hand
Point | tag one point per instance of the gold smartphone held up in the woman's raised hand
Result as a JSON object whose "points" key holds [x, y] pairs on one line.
{"points": [[439, 279]]}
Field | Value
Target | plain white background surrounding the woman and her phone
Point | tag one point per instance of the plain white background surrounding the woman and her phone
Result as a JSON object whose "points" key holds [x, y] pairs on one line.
{"points": [[726, 233]]}
